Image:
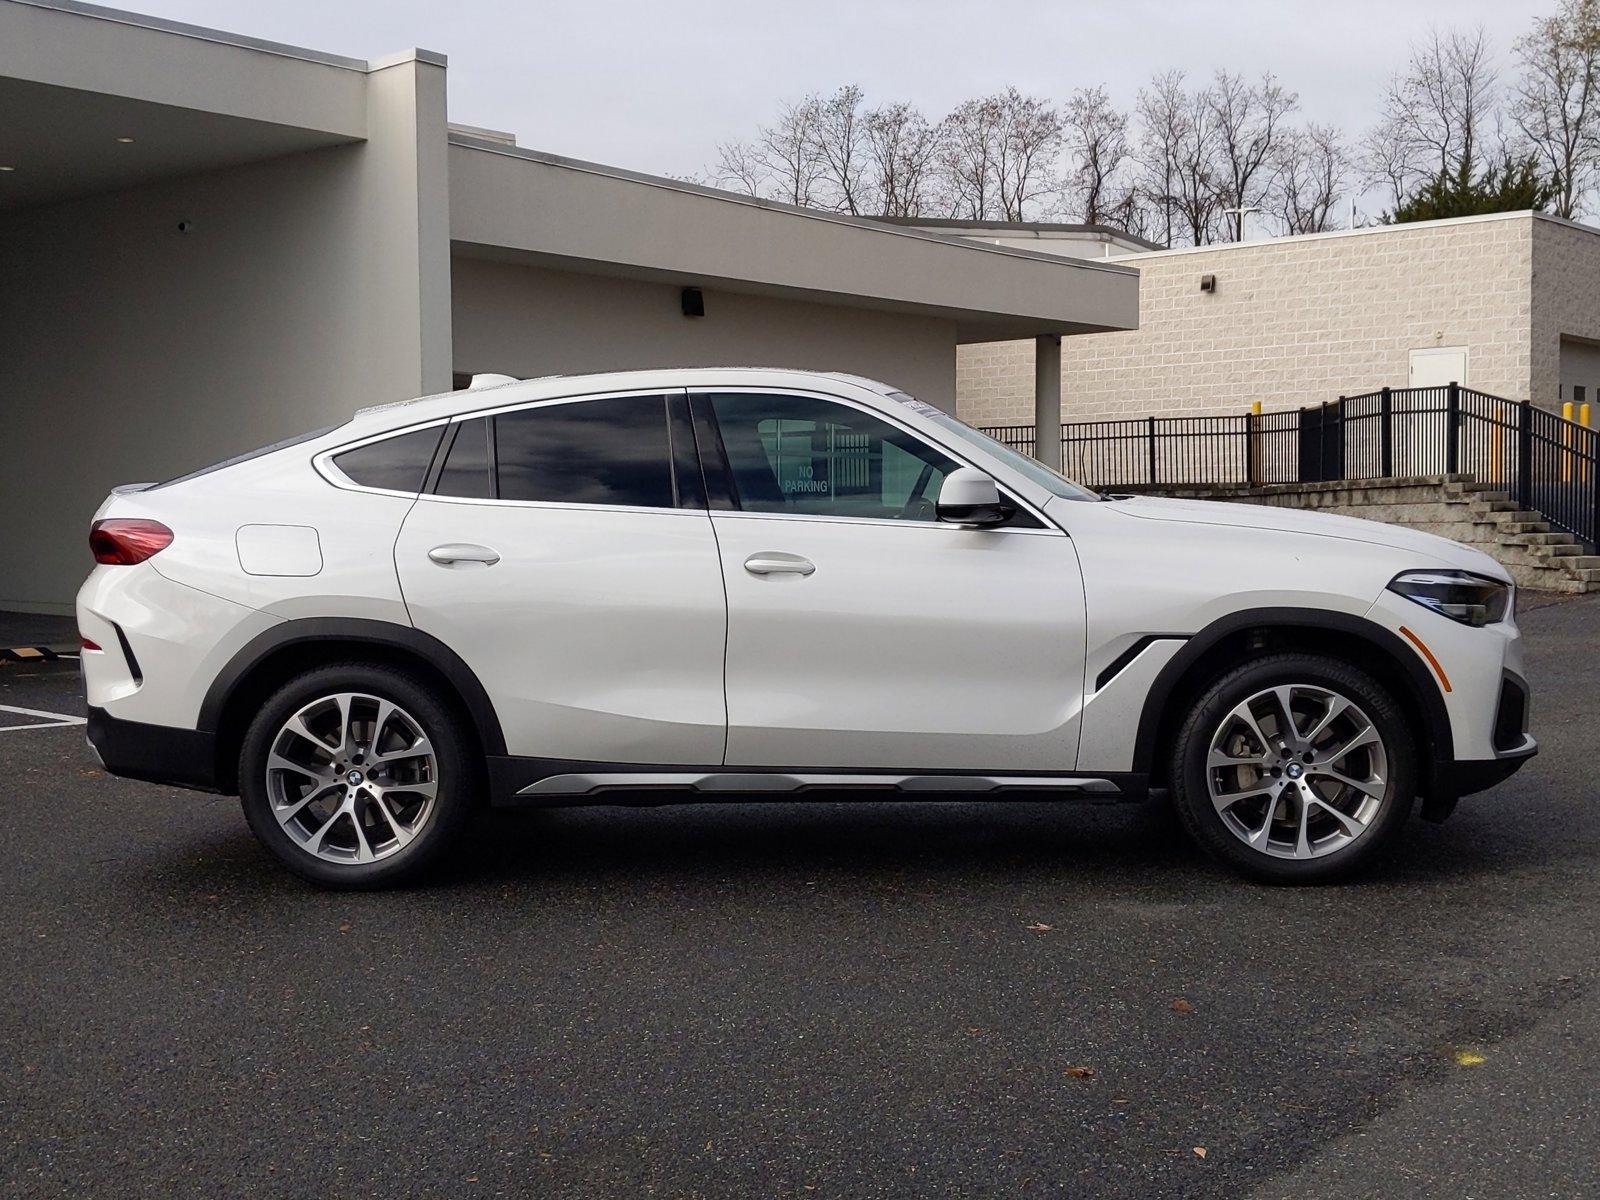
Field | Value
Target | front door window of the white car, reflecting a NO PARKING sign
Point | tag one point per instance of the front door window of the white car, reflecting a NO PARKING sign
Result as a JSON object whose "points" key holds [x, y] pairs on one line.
{"points": [[794, 454]]}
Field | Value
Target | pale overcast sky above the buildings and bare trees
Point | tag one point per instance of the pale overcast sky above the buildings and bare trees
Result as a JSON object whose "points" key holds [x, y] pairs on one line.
{"points": [[655, 86]]}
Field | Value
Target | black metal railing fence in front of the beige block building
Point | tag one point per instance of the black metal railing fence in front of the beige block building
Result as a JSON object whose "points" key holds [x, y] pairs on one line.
{"points": [[1543, 462]]}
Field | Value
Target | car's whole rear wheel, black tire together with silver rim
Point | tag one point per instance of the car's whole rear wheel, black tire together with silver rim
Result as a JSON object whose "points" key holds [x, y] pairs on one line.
{"points": [[358, 777]]}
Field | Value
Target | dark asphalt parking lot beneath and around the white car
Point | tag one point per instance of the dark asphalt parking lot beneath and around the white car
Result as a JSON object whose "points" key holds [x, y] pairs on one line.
{"points": [[846, 1001]]}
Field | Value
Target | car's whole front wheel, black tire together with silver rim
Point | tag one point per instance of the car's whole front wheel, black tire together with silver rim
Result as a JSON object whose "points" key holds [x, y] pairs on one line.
{"points": [[1270, 831]]}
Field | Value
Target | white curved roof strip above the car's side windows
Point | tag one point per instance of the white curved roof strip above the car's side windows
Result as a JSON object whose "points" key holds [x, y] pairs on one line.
{"points": [[556, 386]]}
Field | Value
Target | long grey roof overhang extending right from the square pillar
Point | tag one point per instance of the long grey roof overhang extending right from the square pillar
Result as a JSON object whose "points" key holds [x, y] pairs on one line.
{"points": [[518, 206]]}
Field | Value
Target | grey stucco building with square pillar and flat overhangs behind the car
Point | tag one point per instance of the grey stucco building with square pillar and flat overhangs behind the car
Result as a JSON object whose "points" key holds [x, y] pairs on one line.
{"points": [[210, 242]]}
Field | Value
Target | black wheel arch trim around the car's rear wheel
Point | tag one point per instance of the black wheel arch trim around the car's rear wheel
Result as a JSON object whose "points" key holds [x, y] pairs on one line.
{"points": [[308, 631]]}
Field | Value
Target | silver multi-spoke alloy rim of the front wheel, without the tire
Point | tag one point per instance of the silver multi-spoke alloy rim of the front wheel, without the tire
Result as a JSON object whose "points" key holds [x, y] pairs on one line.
{"points": [[1298, 772]]}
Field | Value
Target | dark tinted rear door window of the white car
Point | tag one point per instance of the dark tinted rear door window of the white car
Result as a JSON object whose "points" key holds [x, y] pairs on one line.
{"points": [[588, 452]]}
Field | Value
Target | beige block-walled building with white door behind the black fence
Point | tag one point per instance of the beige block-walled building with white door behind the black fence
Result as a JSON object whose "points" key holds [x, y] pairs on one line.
{"points": [[1506, 305]]}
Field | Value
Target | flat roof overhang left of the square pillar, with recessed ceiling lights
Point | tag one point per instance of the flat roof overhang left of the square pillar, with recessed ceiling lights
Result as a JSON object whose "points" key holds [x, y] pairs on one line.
{"points": [[74, 79]]}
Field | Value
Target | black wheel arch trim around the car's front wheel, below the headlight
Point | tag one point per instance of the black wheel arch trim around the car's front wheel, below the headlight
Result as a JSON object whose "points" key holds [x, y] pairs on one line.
{"points": [[1423, 687]]}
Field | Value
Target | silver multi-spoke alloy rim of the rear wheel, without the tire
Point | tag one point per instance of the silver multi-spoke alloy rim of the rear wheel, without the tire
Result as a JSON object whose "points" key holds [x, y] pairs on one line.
{"points": [[353, 778]]}
